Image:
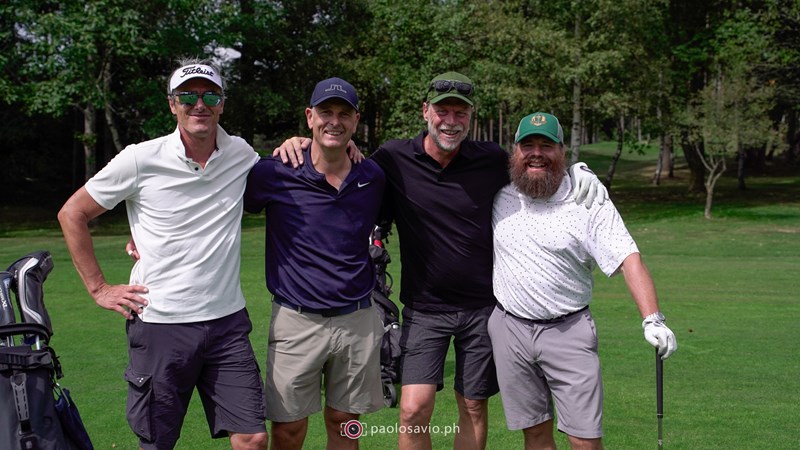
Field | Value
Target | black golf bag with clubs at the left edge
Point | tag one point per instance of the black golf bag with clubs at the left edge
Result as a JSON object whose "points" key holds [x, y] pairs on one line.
{"points": [[35, 412]]}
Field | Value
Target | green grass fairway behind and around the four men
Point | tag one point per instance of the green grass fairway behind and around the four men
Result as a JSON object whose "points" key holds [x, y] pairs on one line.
{"points": [[728, 286]]}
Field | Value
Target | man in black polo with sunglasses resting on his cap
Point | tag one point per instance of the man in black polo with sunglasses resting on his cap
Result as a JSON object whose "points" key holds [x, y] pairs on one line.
{"points": [[440, 190]]}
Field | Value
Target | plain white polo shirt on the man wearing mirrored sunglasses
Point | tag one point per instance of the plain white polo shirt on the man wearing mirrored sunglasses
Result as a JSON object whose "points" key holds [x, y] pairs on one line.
{"points": [[186, 222]]}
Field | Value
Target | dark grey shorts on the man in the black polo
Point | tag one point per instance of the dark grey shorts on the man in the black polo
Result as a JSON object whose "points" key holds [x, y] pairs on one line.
{"points": [[425, 341]]}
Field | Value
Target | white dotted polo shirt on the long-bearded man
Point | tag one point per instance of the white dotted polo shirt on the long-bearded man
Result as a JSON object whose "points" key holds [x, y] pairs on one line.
{"points": [[546, 249]]}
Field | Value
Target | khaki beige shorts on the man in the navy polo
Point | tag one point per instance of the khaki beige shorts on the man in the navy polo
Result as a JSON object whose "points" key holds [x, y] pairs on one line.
{"points": [[341, 354]]}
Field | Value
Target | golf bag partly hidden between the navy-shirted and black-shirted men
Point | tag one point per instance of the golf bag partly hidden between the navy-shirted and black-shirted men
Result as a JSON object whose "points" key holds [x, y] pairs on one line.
{"points": [[390, 316]]}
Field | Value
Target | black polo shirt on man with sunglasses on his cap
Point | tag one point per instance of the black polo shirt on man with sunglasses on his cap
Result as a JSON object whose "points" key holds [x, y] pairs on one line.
{"points": [[444, 221]]}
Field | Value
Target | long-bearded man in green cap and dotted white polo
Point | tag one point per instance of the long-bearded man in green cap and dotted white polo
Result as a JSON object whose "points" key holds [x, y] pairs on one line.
{"points": [[542, 332]]}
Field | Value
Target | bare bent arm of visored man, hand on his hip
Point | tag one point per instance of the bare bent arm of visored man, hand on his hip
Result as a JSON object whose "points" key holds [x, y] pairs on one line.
{"points": [[74, 218]]}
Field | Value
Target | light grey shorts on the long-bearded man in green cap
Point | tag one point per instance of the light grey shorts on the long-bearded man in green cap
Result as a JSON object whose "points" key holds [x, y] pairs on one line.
{"points": [[542, 365]]}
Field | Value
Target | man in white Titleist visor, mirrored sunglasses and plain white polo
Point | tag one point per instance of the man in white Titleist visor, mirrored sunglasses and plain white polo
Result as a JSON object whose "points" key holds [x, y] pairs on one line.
{"points": [[187, 325]]}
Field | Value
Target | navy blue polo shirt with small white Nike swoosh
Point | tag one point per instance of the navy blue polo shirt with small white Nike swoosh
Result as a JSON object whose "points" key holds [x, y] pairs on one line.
{"points": [[317, 238]]}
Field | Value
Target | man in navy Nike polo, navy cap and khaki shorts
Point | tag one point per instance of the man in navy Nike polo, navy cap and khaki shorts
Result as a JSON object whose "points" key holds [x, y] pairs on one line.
{"points": [[323, 331]]}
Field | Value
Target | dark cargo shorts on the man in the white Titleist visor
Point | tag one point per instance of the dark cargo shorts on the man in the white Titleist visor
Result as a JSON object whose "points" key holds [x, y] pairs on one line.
{"points": [[167, 362]]}
